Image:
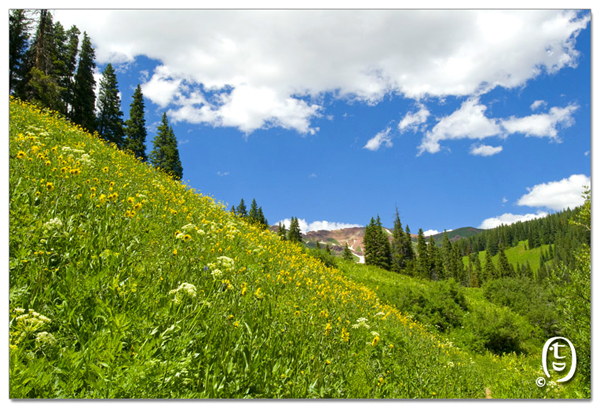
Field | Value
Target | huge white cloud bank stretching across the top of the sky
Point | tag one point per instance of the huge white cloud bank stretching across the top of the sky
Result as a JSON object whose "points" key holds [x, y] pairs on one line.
{"points": [[264, 68]]}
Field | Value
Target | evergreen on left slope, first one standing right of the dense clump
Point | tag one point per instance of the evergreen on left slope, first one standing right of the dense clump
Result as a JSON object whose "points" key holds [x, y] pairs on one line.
{"points": [[110, 118]]}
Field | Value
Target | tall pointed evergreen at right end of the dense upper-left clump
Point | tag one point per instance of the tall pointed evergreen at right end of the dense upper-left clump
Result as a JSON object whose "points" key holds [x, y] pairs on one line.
{"points": [[84, 97]]}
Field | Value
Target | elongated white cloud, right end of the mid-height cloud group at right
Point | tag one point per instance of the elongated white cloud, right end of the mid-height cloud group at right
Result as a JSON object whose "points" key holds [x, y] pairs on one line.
{"points": [[541, 125]]}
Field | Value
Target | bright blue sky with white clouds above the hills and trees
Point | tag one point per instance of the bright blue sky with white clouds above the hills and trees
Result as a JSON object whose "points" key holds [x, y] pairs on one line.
{"points": [[458, 118]]}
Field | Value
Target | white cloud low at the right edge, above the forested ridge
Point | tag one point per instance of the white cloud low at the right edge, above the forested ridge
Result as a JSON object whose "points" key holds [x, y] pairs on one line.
{"points": [[557, 195]]}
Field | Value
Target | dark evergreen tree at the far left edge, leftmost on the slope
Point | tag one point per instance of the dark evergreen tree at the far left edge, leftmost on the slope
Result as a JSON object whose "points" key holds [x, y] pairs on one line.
{"points": [[19, 24]]}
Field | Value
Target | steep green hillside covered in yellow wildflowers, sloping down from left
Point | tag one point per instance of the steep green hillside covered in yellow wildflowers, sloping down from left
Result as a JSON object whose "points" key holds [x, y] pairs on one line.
{"points": [[127, 284]]}
